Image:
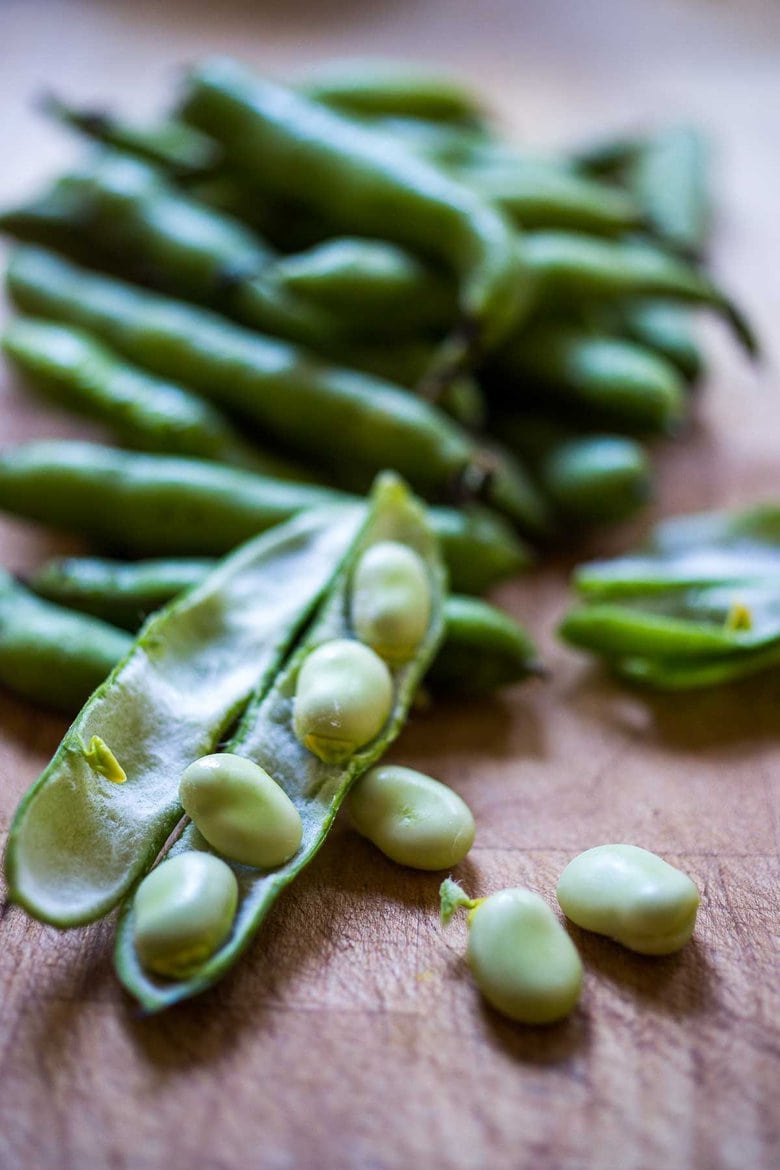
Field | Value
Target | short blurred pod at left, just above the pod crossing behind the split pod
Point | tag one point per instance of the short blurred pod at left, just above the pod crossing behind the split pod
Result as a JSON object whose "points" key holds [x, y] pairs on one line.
{"points": [[144, 412]]}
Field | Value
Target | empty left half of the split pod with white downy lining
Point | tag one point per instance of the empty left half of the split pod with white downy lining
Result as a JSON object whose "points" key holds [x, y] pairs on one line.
{"points": [[82, 835]]}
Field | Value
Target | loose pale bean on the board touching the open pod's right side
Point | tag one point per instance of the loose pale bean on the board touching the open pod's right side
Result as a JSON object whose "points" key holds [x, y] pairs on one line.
{"points": [[412, 818]]}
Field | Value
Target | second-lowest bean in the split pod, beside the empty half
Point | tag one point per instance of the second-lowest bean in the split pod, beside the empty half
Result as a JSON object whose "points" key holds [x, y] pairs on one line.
{"points": [[240, 810]]}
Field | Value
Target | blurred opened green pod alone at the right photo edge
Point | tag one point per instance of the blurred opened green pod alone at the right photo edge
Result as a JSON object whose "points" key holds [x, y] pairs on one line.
{"points": [[698, 607]]}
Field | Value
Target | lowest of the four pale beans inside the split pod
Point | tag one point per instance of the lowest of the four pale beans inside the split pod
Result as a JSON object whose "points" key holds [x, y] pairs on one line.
{"points": [[184, 911]]}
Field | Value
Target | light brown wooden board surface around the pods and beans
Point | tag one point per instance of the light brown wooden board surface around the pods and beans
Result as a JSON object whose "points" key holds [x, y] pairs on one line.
{"points": [[351, 1038]]}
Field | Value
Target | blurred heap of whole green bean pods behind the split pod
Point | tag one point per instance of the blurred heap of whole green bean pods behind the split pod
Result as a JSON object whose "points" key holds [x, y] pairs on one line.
{"points": [[316, 283]]}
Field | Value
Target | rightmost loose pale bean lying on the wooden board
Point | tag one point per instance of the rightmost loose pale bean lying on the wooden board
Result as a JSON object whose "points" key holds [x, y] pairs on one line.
{"points": [[632, 896]]}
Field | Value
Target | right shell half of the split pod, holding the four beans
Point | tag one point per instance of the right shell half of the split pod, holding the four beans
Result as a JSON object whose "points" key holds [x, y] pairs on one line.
{"points": [[266, 735]]}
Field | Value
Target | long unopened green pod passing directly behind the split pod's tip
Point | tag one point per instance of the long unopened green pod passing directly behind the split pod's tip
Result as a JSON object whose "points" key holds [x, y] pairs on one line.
{"points": [[151, 506]]}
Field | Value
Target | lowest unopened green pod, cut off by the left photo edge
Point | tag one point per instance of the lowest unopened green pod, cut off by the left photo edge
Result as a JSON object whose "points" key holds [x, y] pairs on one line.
{"points": [[51, 656]]}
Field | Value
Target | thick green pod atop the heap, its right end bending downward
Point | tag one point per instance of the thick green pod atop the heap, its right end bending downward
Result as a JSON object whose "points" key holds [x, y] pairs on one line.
{"points": [[291, 146]]}
